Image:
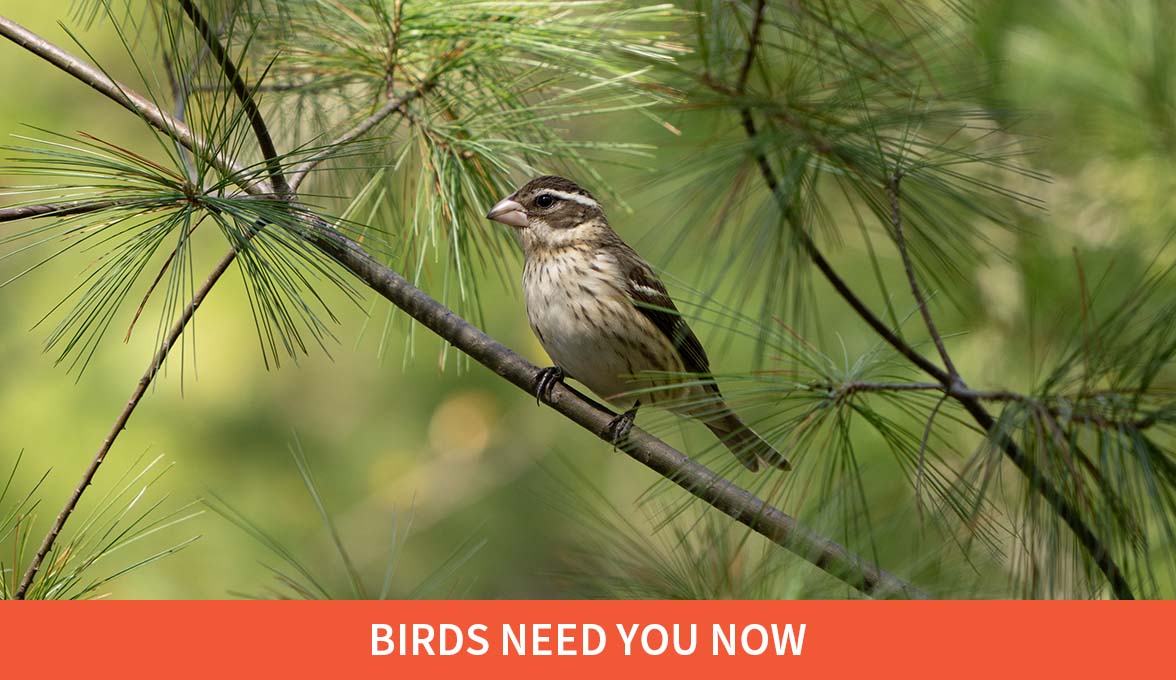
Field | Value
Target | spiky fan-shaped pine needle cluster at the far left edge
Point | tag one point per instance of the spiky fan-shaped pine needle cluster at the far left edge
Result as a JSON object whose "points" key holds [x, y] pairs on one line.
{"points": [[131, 211]]}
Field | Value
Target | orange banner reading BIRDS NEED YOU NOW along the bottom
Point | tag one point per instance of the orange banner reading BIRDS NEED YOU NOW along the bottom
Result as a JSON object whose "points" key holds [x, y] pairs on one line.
{"points": [[585, 639]]}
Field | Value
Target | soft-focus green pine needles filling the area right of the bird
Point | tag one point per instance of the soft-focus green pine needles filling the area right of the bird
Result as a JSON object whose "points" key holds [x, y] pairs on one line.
{"points": [[880, 116]]}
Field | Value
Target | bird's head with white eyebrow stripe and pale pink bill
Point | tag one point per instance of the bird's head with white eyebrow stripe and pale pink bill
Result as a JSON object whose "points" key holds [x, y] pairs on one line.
{"points": [[551, 212]]}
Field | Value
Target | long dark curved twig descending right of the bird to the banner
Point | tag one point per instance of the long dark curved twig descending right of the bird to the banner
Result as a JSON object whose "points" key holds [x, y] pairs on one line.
{"points": [[1012, 450]]}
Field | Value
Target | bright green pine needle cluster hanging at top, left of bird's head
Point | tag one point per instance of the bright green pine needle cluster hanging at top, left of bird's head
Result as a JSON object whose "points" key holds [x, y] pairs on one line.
{"points": [[499, 81]]}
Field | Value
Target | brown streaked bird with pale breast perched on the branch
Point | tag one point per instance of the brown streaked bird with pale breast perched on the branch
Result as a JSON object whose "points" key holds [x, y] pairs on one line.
{"points": [[606, 319]]}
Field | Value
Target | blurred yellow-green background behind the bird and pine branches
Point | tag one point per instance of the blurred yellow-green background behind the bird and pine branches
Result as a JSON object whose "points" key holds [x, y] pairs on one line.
{"points": [[393, 435]]}
